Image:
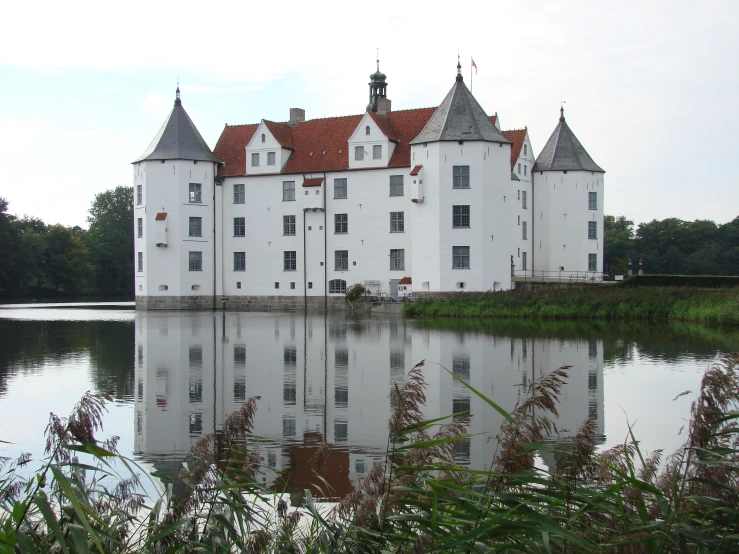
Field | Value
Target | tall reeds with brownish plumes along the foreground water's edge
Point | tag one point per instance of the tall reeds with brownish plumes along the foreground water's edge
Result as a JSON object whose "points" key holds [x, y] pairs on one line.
{"points": [[419, 501]]}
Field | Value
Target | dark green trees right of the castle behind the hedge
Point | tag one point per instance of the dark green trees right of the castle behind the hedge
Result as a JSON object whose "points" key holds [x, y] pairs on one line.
{"points": [[672, 246]]}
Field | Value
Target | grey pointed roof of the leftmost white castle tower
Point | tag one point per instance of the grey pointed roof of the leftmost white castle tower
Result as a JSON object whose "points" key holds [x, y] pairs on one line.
{"points": [[178, 139]]}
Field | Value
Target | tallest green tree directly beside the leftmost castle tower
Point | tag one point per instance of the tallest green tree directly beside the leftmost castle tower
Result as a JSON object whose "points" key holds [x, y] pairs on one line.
{"points": [[110, 240]]}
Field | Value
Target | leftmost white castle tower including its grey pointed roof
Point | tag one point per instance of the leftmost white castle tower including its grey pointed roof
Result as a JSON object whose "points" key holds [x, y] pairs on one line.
{"points": [[174, 218]]}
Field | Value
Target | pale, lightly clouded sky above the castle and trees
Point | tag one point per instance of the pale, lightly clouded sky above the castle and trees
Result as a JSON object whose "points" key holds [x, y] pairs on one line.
{"points": [[650, 88]]}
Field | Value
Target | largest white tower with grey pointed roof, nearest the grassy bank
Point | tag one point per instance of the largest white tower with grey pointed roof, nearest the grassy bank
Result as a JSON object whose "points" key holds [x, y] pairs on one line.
{"points": [[461, 237]]}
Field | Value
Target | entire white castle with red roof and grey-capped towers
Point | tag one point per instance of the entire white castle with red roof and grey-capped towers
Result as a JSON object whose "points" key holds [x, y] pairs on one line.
{"points": [[291, 215]]}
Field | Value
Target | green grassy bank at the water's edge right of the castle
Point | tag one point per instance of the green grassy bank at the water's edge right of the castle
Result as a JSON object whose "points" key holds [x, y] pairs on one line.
{"points": [[674, 303]]}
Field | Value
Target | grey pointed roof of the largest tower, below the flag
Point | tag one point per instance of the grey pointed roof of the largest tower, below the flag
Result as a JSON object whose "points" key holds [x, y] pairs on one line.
{"points": [[459, 117]]}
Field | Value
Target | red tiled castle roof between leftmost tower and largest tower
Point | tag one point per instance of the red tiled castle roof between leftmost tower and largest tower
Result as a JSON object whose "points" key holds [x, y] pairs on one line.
{"points": [[310, 139]]}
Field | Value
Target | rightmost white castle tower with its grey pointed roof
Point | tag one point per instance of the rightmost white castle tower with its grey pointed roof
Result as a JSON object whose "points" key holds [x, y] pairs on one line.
{"points": [[568, 207]]}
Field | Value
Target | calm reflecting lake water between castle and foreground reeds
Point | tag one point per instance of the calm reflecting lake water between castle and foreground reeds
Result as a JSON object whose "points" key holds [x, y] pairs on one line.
{"points": [[176, 375]]}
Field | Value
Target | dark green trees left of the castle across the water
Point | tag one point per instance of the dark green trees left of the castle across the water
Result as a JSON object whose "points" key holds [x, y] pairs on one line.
{"points": [[40, 260]]}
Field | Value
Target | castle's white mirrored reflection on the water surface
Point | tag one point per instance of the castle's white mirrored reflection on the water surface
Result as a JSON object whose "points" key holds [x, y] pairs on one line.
{"points": [[328, 378]]}
